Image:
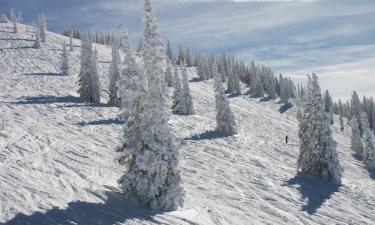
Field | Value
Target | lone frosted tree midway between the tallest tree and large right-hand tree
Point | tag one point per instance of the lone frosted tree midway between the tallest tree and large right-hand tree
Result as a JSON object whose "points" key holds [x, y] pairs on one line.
{"points": [[225, 120]]}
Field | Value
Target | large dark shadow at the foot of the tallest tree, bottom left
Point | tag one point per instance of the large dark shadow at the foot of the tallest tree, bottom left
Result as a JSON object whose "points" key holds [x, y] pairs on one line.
{"points": [[114, 210]]}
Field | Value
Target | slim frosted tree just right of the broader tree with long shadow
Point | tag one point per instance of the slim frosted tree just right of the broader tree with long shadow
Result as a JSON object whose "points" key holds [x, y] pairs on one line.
{"points": [[114, 76]]}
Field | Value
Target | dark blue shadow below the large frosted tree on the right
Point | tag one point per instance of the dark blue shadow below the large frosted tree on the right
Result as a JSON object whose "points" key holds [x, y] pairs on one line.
{"points": [[314, 189]]}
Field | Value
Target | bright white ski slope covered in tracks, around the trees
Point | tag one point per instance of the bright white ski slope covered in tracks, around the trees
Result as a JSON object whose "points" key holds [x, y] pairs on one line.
{"points": [[56, 155]]}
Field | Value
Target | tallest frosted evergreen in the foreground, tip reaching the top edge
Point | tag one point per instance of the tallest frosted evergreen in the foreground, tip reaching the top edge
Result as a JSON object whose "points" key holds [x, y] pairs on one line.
{"points": [[149, 155]]}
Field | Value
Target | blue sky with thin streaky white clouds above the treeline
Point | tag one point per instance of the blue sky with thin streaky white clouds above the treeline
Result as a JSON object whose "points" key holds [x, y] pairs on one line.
{"points": [[293, 37]]}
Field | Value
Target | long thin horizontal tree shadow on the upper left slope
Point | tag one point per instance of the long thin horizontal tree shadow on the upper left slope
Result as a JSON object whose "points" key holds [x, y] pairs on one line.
{"points": [[50, 99]]}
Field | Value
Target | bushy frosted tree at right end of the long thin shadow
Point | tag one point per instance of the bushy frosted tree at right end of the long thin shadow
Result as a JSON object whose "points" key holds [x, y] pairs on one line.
{"points": [[89, 86]]}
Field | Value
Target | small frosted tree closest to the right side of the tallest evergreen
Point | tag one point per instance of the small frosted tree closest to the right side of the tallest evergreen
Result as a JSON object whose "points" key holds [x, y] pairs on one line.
{"points": [[183, 101]]}
